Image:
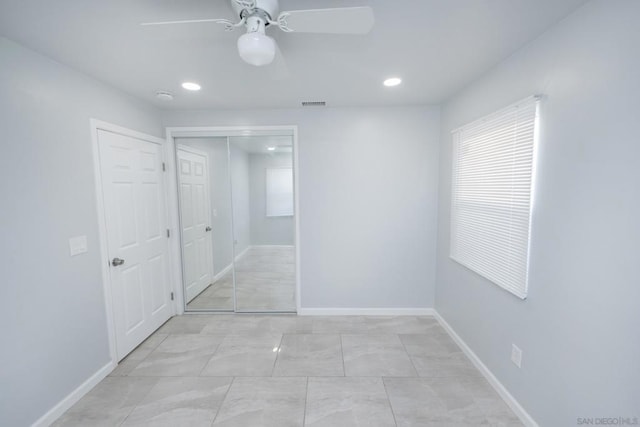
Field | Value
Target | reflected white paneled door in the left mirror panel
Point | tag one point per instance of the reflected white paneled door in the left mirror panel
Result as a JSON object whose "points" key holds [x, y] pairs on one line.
{"points": [[197, 245]]}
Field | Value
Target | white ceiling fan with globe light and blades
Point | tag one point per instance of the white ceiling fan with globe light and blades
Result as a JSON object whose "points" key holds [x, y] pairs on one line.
{"points": [[257, 48]]}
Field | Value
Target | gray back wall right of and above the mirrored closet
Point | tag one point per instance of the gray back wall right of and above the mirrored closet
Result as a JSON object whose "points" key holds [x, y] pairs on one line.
{"points": [[368, 194]]}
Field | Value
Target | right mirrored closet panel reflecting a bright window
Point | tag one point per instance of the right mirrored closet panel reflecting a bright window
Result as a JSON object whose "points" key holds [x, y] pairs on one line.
{"points": [[263, 212]]}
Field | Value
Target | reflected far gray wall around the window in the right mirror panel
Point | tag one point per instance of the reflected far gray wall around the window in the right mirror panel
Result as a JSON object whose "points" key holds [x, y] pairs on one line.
{"points": [[267, 230]]}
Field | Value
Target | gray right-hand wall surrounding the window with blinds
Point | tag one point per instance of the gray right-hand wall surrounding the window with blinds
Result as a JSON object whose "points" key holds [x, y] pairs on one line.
{"points": [[578, 328]]}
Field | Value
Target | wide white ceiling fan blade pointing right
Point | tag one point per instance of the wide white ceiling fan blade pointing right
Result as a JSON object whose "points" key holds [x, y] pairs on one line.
{"points": [[344, 20]]}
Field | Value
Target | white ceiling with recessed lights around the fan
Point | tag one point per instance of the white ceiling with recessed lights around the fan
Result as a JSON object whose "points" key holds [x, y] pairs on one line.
{"points": [[436, 46]]}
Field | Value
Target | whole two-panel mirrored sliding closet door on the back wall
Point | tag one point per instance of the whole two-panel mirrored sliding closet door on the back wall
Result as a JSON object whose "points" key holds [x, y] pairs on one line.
{"points": [[237, 214]]}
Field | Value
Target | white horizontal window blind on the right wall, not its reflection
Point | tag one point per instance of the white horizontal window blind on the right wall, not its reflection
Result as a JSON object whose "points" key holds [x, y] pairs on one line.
{"points": [[493, 165]]}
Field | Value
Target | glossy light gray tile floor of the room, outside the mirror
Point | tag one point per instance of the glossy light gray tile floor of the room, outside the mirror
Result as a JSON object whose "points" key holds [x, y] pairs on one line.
{"points": [[286, 370]]}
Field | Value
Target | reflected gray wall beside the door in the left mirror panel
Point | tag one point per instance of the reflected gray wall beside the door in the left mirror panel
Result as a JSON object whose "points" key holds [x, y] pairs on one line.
{"points": [[220, 197]]}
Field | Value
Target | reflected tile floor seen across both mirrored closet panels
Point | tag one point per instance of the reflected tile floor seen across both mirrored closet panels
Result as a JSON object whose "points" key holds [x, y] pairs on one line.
{"points": [[265, 281]]}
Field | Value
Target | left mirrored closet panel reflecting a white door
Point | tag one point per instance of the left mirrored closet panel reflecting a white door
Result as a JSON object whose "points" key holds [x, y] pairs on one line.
{"points": [[206, 222]]}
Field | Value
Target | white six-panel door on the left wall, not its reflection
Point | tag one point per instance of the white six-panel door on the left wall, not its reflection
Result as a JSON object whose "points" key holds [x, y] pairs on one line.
{"points": [[136, 222]]}
